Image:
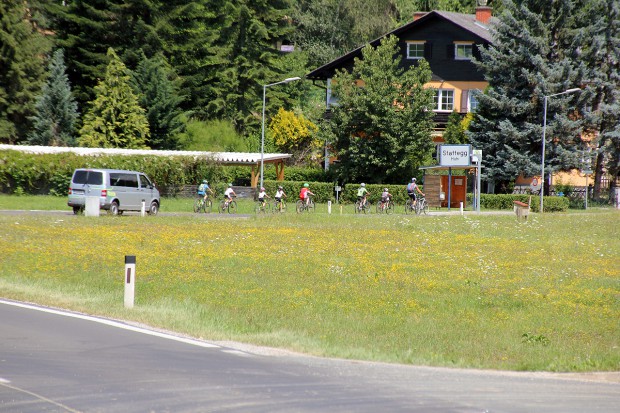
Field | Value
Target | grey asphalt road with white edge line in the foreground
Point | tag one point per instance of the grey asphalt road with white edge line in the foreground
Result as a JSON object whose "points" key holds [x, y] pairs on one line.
{"points": [[51, 361]]}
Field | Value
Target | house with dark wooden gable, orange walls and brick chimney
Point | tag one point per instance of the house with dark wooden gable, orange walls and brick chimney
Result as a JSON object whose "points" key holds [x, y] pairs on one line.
{"points": [[448, 41]]}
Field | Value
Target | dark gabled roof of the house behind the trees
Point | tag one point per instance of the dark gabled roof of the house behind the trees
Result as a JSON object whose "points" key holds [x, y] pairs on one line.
{"points": [[465, 21]]}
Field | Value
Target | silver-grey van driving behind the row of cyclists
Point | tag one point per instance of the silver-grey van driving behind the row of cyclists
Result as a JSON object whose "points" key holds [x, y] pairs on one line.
{"points": [[116, 189]]}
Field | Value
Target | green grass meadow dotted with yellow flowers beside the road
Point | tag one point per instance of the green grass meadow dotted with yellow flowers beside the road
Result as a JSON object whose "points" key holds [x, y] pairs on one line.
{"points": [[475, 291]]}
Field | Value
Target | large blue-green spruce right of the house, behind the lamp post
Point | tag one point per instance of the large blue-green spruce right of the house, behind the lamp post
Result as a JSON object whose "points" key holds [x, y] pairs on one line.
{"points": [[521, 71]]}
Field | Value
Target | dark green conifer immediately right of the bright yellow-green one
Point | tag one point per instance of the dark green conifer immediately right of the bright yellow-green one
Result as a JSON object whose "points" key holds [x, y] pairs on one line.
{"points": [[154, 83]]}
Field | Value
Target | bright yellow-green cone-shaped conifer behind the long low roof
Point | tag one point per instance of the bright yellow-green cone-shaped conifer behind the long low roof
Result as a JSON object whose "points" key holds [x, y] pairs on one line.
{"points": [[115, 119]]}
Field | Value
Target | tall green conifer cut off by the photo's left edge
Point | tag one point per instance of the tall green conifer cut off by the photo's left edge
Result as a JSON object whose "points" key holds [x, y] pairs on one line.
{"points": [[22, 72]]}
